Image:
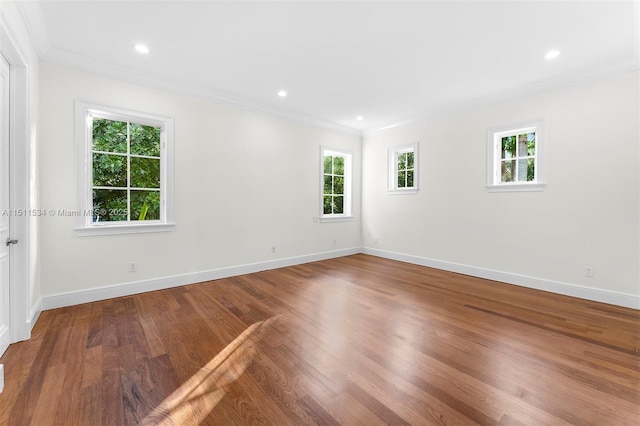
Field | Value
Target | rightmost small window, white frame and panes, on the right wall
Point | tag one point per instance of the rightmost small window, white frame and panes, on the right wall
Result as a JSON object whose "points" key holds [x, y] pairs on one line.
{"points": [[514, 158]]}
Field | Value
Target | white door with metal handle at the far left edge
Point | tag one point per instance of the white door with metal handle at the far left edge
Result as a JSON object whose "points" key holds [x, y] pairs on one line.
{"points": [[5, 213]]}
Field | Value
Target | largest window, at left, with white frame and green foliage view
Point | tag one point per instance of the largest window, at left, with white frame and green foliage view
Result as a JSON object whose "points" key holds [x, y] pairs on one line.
{"points": [[125, 175]]}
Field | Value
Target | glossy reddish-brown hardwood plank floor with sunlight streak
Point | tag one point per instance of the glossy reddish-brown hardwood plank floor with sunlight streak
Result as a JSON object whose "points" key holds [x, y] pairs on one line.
{"points": [[356, 341]]}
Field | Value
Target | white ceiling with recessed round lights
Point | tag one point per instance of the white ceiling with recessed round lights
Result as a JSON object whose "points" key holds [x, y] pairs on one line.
{"points": [[390, 62]]}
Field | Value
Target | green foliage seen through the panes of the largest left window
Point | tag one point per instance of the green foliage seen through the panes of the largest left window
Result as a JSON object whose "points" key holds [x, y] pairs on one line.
{"points": [[126, 171]]}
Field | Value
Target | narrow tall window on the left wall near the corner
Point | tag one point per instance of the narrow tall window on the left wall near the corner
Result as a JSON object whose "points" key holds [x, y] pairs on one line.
{"points": [[336, 184]]}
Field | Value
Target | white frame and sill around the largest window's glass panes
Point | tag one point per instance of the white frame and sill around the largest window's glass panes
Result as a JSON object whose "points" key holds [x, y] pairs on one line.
{"points": [[84, 147]]}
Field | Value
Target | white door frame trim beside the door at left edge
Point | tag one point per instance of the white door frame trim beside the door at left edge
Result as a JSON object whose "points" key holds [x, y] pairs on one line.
{"points": [[22, 176]]}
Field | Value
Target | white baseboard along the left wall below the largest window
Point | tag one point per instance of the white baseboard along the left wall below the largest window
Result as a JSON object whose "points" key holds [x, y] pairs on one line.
{"points": [[102, 293]]}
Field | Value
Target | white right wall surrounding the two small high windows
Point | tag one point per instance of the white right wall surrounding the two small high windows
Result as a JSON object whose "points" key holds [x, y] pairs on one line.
{"points": [[588, 214]]}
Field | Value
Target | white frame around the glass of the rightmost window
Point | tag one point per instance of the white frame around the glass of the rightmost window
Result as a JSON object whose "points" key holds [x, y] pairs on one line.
{"points": [[494, 136]]}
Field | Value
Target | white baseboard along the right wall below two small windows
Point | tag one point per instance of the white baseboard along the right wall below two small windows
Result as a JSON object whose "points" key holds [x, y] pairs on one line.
{"points": [[597, 295]]}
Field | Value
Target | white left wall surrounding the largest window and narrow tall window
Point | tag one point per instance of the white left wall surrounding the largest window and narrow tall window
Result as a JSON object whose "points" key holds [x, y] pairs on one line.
{"points": [[244, 181]]}
